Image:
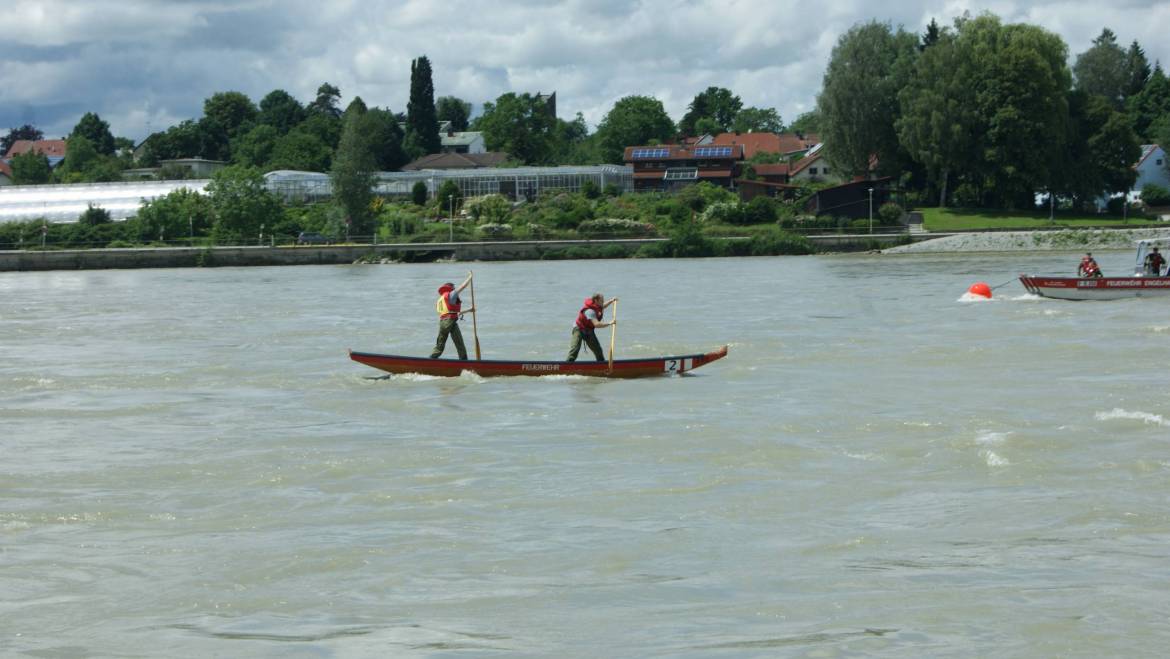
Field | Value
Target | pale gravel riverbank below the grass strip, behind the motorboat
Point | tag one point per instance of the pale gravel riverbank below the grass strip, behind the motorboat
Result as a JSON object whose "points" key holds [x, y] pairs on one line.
{"points": [[1066, 241]]}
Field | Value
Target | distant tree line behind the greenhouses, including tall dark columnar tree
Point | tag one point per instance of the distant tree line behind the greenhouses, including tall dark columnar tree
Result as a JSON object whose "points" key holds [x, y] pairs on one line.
{"points": [[280, 133]]}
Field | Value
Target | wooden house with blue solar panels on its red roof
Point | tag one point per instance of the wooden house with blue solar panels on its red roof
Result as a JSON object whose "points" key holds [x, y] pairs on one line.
{"points": [[670, 167]]}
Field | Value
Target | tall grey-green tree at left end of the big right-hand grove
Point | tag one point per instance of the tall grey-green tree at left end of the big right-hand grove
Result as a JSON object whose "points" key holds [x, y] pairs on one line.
{"points": [[858, 104]]}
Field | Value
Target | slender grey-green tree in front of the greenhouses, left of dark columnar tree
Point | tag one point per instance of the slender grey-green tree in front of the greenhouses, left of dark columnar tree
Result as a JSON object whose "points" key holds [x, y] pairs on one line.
{"points": [[353, 171]]}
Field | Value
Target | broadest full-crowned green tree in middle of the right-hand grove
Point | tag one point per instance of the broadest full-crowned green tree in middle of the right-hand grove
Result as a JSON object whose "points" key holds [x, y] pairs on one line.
{"points": [[989, 105]]}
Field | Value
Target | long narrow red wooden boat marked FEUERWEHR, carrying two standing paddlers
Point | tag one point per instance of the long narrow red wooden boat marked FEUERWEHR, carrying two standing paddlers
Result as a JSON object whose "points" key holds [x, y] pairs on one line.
{"points": [[492, 368]]}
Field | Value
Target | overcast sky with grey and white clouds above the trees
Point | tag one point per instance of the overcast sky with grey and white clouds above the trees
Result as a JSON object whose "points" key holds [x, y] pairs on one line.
{"points": [[147, 65]]}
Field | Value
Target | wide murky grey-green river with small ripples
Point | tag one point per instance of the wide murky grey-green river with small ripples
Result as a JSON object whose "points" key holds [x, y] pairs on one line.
{"points": [[192, 466]]}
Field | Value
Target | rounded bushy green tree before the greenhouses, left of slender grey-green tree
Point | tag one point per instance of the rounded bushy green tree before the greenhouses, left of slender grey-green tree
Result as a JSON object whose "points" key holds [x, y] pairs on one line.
{"points": [[242, 204]]}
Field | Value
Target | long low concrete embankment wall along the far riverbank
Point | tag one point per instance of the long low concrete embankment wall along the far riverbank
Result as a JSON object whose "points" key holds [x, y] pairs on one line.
{"points": [[334, 255]]}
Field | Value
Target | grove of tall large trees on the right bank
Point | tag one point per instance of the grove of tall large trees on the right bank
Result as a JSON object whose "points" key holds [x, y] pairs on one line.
{"points": [[989, 115]]}
